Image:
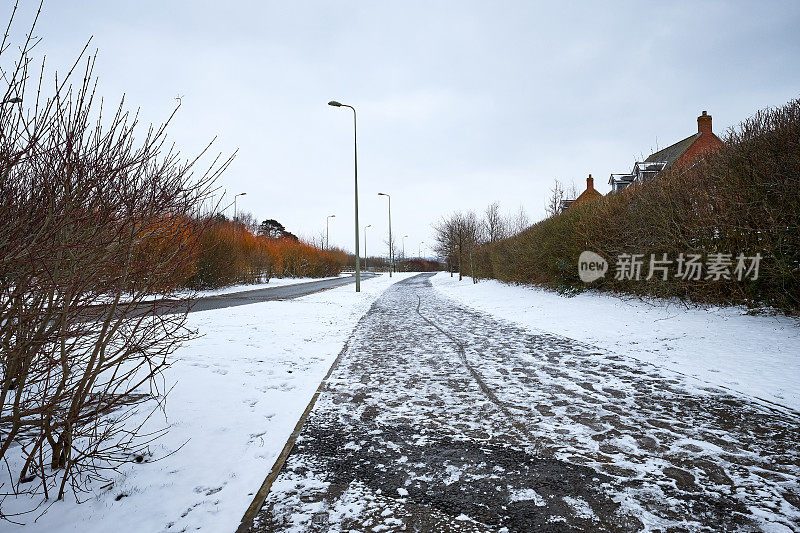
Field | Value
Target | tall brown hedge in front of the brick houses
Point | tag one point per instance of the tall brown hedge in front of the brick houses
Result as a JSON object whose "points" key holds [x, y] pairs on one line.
{"points": [[742, 200]]}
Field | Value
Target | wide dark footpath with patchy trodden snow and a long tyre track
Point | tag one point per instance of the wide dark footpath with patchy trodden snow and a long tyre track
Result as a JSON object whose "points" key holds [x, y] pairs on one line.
{"points": [[442, 418]]}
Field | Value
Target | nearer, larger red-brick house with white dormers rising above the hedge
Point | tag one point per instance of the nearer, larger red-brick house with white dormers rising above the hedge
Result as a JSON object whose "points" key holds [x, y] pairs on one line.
{"points": [[682, 154]]}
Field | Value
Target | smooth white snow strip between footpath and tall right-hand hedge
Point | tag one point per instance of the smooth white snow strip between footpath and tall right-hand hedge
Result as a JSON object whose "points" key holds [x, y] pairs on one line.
{"points": [[754, 355]]}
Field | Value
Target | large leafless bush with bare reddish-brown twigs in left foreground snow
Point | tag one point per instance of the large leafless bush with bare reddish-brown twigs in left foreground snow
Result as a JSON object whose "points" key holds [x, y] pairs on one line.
{"points": [[93, 221]]}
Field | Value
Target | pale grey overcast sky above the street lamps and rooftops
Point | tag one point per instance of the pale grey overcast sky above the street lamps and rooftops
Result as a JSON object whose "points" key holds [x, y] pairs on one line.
{"points": [[460, 103]]}
